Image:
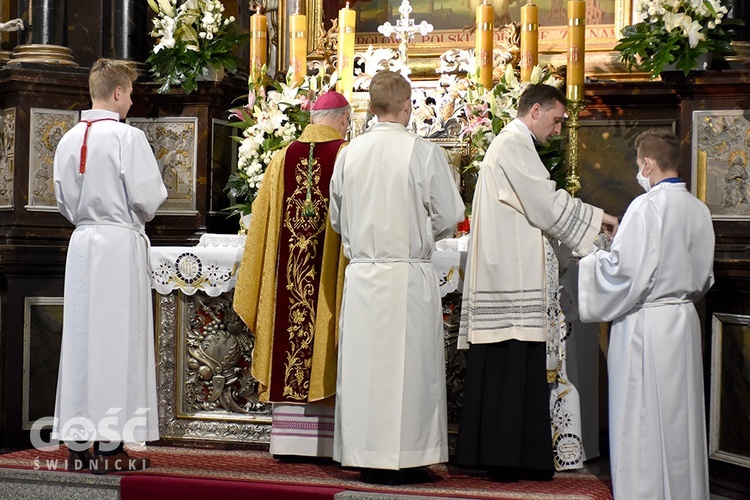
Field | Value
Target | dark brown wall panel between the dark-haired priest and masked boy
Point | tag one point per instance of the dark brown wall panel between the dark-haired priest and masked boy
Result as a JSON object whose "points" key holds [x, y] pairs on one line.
{"points": [[607, 166]]}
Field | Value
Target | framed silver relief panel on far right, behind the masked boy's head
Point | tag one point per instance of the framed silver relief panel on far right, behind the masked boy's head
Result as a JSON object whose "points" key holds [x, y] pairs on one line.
{"points": [[721, 162]]}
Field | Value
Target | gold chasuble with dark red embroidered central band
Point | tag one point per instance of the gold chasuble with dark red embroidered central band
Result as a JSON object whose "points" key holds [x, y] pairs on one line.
{"points": [[291, 279]]}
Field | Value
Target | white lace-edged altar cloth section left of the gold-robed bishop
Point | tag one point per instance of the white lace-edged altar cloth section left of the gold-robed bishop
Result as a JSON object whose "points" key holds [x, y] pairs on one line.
{"points": [[211, 266]]}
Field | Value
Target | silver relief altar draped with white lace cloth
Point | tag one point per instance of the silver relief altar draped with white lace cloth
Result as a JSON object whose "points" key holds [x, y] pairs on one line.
{"points": [[206, 393]]}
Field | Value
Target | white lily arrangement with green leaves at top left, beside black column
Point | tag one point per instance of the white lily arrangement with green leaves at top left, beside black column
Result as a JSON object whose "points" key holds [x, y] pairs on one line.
{"points": [[194, 38]]}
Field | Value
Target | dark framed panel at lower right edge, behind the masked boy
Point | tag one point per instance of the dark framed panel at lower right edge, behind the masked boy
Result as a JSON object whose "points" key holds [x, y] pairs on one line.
{"points": [[729, 434]]}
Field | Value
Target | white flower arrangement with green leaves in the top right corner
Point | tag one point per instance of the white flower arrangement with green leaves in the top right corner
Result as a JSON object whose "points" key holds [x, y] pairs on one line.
{"points": [[675, 32]]}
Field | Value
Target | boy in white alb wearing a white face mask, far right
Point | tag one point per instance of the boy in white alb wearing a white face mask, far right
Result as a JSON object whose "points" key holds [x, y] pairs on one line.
{"points": [[659, 264]]}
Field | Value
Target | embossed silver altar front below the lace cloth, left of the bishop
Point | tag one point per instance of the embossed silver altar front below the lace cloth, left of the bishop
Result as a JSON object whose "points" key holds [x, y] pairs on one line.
{"points": [[205, 391]]}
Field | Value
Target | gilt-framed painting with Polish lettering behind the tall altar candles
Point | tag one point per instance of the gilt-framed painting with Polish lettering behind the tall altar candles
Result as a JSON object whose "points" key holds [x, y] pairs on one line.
{"points": [[454, 21]]}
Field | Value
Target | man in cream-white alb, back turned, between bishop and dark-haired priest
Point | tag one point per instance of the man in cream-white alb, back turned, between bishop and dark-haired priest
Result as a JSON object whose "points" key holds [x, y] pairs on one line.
{"points": [[392, 195]]}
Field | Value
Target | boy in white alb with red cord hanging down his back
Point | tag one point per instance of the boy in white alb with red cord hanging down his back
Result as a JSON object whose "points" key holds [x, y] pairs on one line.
{"points": [[108, 184]]}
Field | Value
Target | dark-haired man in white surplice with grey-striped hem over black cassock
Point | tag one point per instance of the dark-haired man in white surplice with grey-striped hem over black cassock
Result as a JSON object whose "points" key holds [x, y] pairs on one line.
{"points": [[510, 313]]}
